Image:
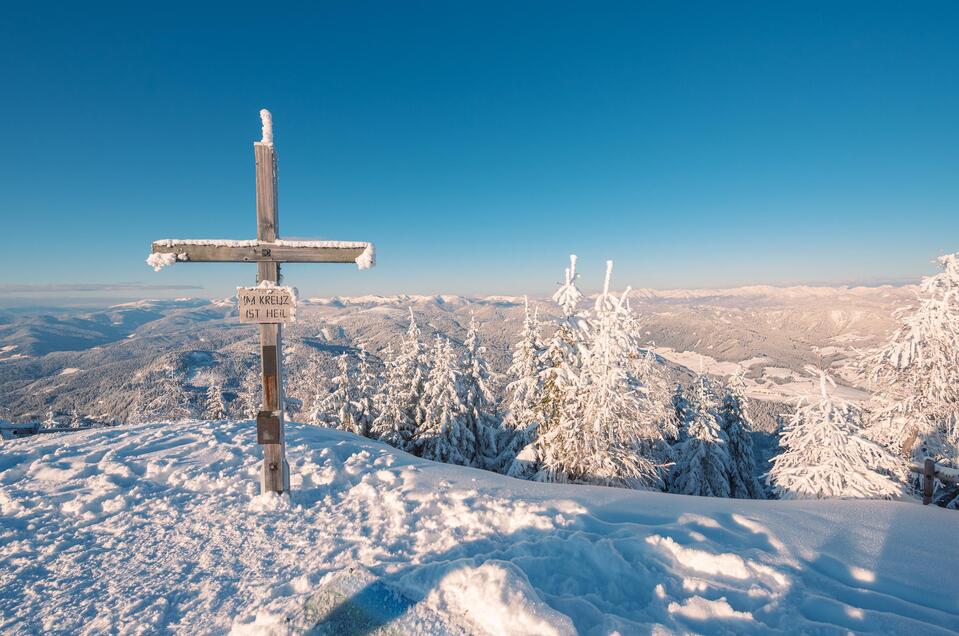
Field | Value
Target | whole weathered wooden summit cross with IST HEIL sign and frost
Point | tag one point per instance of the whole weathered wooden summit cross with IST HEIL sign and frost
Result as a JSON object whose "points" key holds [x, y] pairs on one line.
{"points": [[267, 251]]}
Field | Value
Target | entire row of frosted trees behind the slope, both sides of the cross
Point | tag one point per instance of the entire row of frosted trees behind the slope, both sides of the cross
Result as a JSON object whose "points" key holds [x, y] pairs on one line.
{"points": [[583, 401]]}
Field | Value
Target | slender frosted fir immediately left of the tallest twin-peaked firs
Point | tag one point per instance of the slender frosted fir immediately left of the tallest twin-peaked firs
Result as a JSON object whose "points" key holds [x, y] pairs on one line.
{"points": [[524, 392]]}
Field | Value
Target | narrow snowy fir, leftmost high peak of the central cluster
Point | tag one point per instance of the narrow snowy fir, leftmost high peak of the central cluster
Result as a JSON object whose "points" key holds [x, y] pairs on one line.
{"points": [[401, 393]]}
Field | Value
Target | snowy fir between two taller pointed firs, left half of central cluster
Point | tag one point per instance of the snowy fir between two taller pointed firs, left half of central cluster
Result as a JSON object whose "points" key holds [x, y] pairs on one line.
{"points": [[444, 434]]}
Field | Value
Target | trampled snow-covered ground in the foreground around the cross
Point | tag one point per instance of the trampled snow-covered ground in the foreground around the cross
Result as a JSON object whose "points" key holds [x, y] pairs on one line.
{"points": [[158, 527]]}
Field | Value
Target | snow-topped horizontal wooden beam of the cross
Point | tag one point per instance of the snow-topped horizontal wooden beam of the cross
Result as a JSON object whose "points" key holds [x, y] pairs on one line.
{"points": [[279, 251]]}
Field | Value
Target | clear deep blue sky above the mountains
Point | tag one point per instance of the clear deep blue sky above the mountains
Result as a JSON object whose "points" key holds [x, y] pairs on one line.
{"points": [[477, 144]]}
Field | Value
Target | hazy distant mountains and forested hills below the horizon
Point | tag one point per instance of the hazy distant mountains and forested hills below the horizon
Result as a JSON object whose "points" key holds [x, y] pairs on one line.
{"points": [[90, 360]]}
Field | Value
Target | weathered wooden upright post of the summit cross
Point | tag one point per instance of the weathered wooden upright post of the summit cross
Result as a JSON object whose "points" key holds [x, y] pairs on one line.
{"points": [[276, 471]]}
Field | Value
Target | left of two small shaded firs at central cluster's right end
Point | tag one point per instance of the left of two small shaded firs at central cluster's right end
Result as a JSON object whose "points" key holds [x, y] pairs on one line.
{"points": [[702, 463]]}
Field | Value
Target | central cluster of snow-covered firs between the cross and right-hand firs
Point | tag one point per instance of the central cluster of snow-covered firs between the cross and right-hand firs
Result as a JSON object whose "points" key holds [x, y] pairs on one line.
{"points": [[583, 403]]}
